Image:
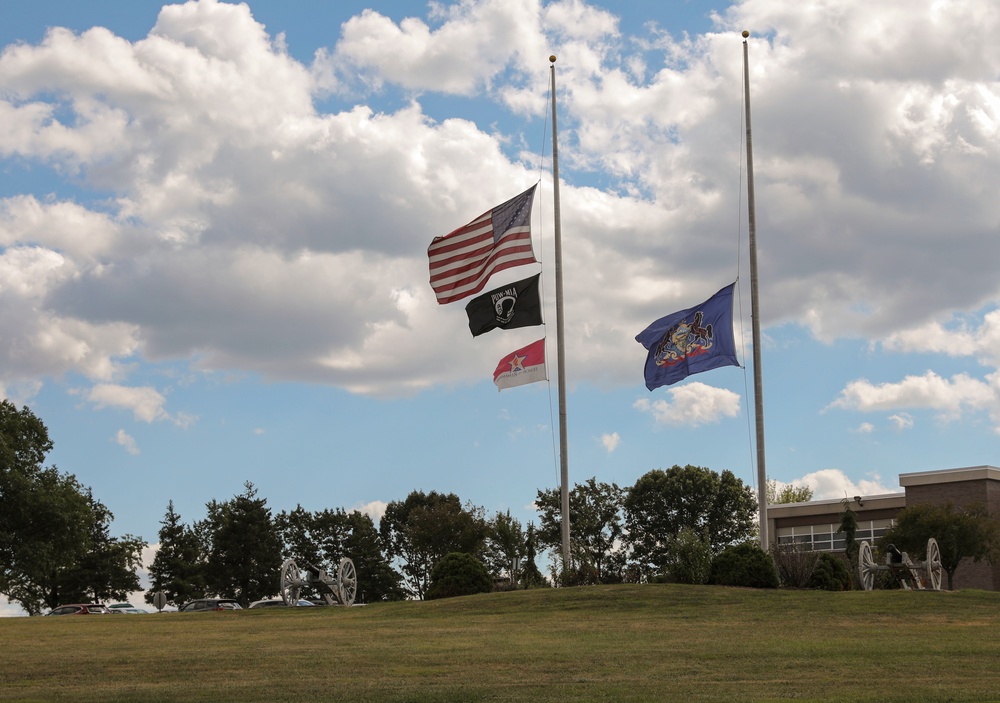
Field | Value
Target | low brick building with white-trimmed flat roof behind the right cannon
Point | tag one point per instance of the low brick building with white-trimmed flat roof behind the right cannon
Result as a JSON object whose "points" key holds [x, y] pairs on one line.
{"points": [[814, 523]]}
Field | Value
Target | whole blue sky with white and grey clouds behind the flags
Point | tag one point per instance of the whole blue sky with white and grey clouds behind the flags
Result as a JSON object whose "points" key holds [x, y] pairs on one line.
{"points": [[214, 219]]}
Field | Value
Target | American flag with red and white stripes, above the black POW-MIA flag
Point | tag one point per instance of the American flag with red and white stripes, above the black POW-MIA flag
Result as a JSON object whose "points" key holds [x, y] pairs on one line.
{"points": [[462, 262]]}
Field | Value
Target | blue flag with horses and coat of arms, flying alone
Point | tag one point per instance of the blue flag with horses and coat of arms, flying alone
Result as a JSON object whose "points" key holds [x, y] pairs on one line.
{"points": [[690, 341]]}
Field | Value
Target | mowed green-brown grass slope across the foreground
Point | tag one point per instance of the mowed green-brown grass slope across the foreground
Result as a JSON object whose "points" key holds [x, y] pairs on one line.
{"points": [[605, 643]]}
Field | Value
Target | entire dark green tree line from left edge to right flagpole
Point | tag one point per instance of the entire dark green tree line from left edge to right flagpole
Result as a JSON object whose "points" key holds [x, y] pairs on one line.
{"points": [[56, 546]]}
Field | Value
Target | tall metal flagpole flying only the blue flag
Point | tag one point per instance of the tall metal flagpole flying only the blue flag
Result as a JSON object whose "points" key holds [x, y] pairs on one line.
{"points": [[758, 385]]}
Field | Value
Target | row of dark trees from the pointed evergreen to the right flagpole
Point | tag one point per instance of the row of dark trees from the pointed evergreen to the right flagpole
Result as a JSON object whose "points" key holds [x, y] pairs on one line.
{"points": [[617, 535]]}
